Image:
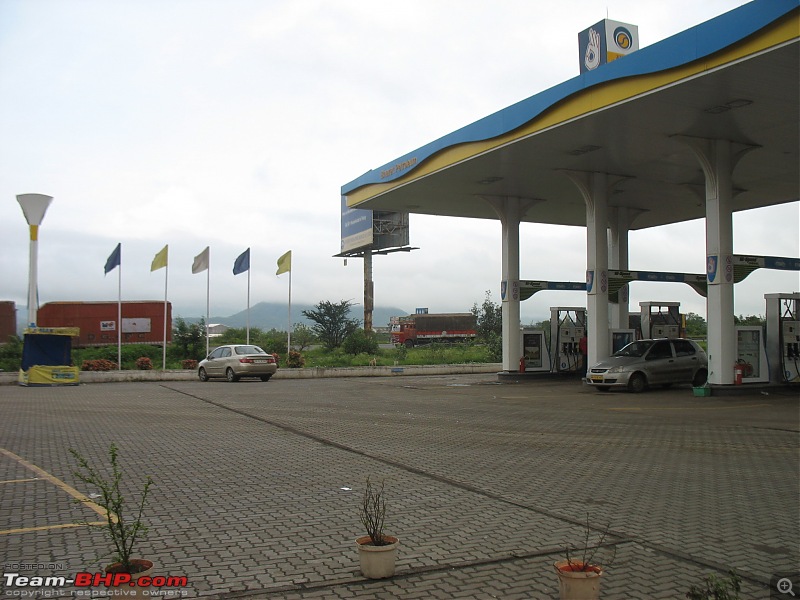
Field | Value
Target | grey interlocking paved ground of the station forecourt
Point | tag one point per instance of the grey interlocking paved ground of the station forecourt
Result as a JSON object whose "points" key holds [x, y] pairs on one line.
{"points": [[258, 484]]}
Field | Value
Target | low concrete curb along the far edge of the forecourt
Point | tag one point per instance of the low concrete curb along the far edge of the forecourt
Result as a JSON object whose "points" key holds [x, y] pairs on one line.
{"points": [[312, 373]]}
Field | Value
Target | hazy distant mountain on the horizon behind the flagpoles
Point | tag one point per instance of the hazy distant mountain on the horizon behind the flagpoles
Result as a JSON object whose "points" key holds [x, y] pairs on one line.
{"points": [[273, 315]]}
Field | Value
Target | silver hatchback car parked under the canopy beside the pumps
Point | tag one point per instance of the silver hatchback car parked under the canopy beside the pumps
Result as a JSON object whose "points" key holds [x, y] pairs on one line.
{"points": [[651, 362]]}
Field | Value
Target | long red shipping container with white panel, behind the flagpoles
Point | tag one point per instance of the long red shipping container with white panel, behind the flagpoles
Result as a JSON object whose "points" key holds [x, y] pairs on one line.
{"points": [[142, 321]]}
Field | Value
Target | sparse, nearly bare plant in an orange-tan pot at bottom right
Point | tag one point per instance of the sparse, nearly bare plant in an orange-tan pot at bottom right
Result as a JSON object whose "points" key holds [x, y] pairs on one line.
{"points": [[579, 575]]}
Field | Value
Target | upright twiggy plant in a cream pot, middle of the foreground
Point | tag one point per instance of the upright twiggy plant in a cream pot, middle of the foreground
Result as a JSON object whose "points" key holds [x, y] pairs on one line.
{"points": [[377, 551]]}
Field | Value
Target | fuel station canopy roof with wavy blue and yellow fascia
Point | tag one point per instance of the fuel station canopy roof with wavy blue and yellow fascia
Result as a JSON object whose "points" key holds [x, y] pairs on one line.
{"points": [[734, 77]]}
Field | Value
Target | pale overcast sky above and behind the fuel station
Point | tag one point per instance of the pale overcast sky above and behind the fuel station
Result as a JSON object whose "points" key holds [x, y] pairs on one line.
{"points": [[234, 124]]}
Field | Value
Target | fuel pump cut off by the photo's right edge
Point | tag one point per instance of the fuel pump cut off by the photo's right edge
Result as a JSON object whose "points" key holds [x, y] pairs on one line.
{"points": [[783, 337]]}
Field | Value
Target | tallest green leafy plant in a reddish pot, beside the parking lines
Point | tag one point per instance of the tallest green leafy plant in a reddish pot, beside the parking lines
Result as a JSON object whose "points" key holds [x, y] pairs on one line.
{"points": [[124, 526]]}
